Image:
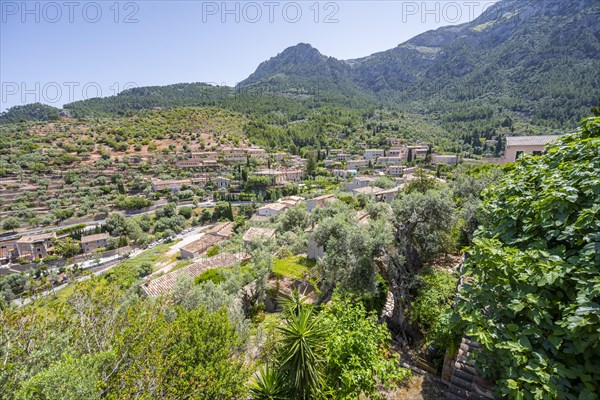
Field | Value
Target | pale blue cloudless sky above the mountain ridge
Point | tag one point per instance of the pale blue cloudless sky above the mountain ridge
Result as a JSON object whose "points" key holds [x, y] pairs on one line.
{"points": [[57, 52]]}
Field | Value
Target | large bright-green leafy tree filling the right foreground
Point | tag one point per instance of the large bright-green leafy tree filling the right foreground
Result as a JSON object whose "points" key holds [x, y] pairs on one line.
{"points": [[532, 291]]}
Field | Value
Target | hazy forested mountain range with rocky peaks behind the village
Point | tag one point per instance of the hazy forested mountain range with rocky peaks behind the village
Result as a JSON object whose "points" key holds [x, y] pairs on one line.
{"points": [[538, 59]]}
